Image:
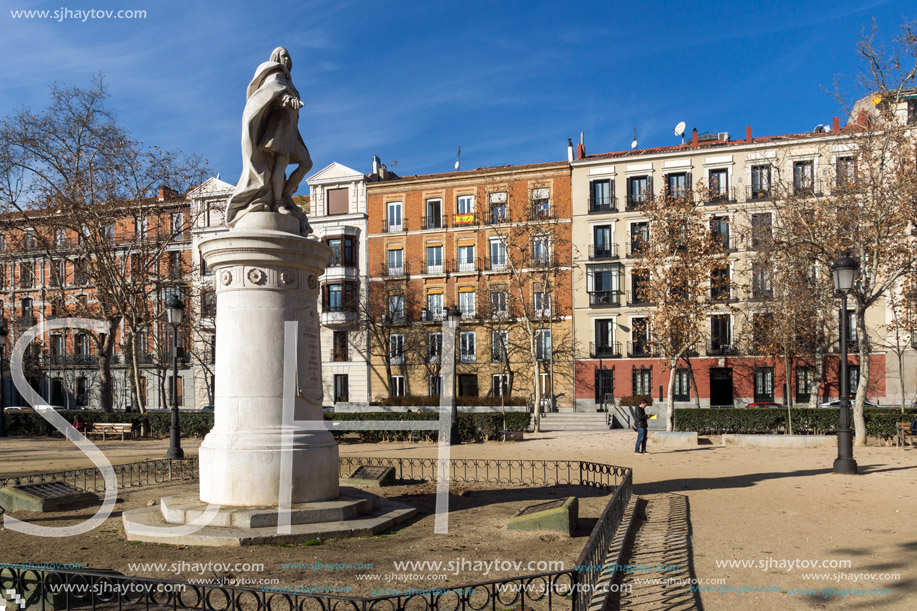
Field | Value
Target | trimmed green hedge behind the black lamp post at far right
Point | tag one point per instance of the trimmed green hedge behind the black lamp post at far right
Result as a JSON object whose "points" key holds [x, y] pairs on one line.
{"points": [[880, 423]]}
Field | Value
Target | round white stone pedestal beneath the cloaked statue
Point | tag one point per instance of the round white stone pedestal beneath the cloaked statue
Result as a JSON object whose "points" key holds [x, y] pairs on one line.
{"points": [[266, 274]]}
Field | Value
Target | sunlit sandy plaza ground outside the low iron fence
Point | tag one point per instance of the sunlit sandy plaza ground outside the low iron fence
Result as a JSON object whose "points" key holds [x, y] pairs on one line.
{"points": [[701, 509]]}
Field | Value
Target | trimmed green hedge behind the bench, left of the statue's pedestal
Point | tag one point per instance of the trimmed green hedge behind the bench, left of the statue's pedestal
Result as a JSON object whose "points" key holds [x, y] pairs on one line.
{"points": [[156, 424]]}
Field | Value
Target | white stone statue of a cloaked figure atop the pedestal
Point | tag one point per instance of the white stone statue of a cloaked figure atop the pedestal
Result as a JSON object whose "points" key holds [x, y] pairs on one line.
{"points": [[270, 142]]}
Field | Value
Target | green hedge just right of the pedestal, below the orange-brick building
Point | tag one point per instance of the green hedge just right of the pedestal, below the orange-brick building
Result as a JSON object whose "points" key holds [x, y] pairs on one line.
{"points": [[471, 427]]}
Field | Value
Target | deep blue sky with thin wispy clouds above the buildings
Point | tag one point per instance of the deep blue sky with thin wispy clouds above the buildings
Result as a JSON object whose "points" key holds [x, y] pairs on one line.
{"points": [[509, 82]]}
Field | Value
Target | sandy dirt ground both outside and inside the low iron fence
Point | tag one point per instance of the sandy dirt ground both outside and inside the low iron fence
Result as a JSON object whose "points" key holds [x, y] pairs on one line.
{"points": [[773, 510]]}
